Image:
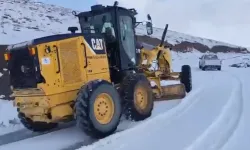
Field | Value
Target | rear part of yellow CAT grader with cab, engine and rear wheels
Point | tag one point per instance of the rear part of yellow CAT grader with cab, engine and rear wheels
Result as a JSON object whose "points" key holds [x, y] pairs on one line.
{"points": [[91, 77]]}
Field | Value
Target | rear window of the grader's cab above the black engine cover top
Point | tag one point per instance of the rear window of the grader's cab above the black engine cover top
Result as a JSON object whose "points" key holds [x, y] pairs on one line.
{"points": [[94, 24]]}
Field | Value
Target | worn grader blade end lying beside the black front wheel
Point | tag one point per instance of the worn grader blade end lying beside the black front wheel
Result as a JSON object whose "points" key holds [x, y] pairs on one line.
{"points": [[171, 92]]}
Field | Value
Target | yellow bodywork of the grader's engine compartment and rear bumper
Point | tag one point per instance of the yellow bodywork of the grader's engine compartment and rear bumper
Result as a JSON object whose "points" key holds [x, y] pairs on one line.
{"points": [[52, 101]]}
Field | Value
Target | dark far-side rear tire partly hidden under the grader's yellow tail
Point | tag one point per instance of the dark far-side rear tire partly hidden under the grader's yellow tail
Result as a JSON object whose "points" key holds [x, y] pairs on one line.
{"points": [[35, 126]]}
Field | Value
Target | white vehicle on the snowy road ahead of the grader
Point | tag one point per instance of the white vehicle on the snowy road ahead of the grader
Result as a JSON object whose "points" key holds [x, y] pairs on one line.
{"points": [[210, 61]]}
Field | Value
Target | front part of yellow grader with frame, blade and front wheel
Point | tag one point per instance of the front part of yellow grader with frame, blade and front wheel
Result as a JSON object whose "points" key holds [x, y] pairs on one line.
{"points": [[156, 64]]}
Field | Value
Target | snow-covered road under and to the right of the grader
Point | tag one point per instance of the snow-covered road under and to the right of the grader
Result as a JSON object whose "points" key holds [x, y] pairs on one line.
{"points": [[213, 116]]}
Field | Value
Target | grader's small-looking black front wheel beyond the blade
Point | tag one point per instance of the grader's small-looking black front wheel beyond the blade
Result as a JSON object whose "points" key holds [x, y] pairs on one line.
{"points": [[186, 77]]}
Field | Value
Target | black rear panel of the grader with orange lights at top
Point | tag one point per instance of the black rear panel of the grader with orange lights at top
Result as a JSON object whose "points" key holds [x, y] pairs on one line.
{"points": [[23, 66]]}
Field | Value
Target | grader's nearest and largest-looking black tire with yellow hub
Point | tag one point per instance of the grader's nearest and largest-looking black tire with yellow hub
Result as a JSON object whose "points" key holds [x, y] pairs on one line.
{"points": [[92, 113]]}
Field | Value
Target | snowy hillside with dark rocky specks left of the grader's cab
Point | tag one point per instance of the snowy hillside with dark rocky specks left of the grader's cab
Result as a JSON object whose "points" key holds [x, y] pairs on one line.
{"points": [[33, 19]]}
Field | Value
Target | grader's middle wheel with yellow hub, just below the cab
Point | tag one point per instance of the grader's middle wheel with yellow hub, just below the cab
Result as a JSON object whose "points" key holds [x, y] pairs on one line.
{"points": [[138, 100]]}
